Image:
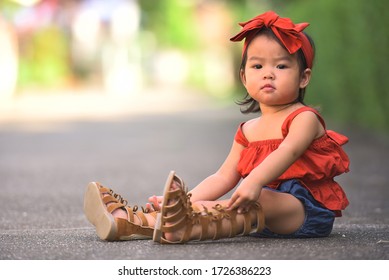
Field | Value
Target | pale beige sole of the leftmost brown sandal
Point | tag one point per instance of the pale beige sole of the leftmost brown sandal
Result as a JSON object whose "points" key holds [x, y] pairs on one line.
{"points": [[97, 214]]}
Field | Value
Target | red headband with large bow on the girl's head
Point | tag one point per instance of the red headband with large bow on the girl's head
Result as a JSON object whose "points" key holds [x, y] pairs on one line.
{"points": [[290, 34]]}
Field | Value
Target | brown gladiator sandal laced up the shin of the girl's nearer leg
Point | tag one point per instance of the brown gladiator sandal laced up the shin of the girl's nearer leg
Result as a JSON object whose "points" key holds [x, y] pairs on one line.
{"points": [[177, 213]]}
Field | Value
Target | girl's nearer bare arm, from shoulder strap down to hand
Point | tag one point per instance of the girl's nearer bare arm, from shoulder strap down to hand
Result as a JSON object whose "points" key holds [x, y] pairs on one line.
{"points": [[303, 130]]}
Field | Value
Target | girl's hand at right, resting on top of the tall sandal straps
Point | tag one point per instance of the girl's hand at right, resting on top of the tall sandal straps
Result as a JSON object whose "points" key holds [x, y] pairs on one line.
{"points": [[244, 196]]}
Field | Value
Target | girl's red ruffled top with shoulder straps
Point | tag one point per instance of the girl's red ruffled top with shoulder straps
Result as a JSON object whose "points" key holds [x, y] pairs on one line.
{"points": [[315, 169]]}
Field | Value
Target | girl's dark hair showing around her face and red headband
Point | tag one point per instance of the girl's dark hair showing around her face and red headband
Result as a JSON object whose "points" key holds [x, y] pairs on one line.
{"points": [[250, 105]]}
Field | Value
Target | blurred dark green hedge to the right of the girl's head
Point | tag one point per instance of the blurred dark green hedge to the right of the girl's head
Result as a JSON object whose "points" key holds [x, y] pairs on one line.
{"points": [[349, 79]]}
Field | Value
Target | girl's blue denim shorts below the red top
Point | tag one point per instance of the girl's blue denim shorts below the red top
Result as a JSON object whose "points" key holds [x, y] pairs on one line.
{"points": [[318, 219]]}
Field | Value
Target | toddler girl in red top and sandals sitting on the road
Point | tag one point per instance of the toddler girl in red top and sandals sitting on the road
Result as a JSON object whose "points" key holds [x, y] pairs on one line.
{"points": [[282, 163]]}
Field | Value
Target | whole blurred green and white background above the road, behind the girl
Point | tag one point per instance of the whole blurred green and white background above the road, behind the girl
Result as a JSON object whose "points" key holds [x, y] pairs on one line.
{"points": [[128, 45]]}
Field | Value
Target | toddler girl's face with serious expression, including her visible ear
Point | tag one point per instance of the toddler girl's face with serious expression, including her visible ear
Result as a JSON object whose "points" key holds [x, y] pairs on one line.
{"points": [[272, 75]]}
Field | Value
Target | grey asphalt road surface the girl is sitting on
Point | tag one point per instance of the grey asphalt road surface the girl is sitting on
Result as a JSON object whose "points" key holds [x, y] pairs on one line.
{"points": [[45, 166]]}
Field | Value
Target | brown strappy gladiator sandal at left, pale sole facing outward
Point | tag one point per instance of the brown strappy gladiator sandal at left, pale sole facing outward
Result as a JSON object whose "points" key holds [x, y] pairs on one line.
{"points": [[107, 226]]}
